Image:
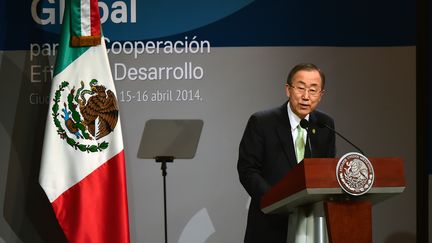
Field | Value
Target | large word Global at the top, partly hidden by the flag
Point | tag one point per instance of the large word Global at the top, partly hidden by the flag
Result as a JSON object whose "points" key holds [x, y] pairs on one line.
{"points": [[50, 12]]}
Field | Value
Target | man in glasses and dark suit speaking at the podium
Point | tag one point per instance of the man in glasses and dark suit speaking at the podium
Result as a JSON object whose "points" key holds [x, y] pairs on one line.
{"points": [[274, 142]]}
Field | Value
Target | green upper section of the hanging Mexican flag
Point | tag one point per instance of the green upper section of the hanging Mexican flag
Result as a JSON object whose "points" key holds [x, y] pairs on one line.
{"points": [[67, 54]]}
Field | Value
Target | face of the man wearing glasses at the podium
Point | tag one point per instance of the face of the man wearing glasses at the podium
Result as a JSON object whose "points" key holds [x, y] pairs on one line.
{"points": [[305, 92]]}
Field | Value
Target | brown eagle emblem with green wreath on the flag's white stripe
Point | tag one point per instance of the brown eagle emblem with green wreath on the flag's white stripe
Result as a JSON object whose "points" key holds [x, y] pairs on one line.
{"points": [[86, 114]]}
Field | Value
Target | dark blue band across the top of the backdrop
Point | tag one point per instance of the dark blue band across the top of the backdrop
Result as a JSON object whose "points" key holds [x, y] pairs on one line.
{"points": [[228, 23]]}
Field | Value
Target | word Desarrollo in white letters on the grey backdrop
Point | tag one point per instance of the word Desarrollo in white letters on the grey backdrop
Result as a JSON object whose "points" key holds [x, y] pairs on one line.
{"points": [[186, 72]]}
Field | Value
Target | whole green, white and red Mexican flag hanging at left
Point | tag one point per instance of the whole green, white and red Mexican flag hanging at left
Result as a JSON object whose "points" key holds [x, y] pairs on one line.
{"points": [[83, 166]]}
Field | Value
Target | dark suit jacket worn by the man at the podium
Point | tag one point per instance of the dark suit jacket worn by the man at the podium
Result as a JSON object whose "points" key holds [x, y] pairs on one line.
{"points": [[266, 154]]}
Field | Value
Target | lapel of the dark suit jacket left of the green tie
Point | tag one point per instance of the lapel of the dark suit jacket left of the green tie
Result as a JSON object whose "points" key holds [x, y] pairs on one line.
{"points": [[283, 130]]}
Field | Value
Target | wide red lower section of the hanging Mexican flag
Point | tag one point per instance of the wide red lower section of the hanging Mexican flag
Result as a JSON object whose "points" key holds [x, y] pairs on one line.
{"points": [[95, 209]]}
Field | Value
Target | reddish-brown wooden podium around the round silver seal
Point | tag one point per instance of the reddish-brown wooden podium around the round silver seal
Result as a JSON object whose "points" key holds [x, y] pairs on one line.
{"points": [[348, 218]]}
